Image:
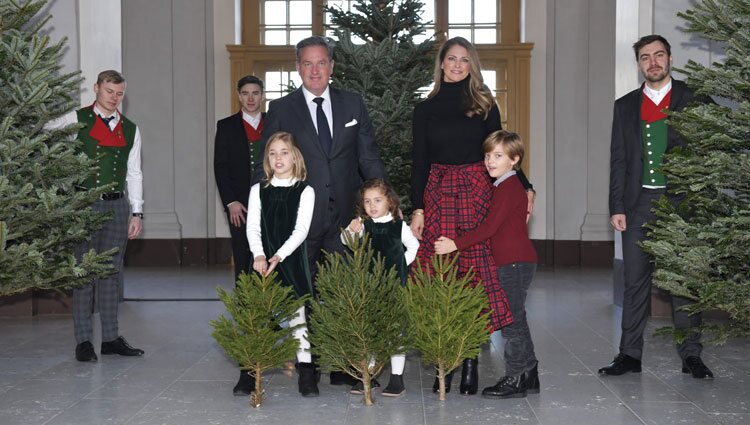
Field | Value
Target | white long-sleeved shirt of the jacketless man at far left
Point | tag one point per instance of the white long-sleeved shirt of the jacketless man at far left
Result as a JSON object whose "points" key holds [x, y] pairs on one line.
{"points": [[134, 176]]}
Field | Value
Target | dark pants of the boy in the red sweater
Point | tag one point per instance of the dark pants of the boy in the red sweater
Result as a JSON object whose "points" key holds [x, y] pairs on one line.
{"points": [[519, 349]]}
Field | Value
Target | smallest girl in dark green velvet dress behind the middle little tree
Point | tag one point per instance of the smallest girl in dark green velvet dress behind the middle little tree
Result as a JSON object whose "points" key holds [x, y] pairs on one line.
{"points": [[377, 215]]}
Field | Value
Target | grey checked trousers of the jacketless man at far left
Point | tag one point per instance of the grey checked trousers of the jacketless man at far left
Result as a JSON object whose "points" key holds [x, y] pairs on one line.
{"points": [[114, 234]]}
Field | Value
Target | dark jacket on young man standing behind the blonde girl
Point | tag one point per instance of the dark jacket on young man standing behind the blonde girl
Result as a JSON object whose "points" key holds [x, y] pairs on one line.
{"points": [[232, 160]]}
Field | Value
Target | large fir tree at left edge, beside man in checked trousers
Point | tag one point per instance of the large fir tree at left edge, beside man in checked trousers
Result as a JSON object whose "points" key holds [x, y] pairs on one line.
{"points": [[43, 211]]}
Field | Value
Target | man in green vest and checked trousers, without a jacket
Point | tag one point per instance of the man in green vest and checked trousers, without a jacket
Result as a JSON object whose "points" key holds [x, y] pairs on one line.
{"points": [[115, 143]]}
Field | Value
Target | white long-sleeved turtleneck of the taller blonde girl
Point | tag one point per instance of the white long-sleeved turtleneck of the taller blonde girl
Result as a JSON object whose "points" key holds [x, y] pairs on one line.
{"points": [[301, 227]]}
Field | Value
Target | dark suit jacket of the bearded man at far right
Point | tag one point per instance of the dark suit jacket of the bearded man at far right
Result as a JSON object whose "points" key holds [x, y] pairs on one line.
{"points": [[626, 155]]}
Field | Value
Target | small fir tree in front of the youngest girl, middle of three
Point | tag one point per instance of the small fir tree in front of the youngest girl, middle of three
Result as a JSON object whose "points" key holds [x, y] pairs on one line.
{"points": [[360, 320]]}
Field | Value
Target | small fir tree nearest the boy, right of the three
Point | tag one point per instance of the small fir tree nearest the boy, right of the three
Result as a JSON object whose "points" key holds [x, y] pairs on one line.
{"points": [[448, 319]]}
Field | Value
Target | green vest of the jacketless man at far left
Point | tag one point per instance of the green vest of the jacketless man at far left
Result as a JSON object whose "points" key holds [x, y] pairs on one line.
{"points": [[111, 162]]}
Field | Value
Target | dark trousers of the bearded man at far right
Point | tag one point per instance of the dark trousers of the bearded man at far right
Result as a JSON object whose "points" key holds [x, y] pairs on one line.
{"points": [[639, 267]]}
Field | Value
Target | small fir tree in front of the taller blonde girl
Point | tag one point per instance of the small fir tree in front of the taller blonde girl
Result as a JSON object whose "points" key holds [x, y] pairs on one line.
{"points": [[254, 336]]}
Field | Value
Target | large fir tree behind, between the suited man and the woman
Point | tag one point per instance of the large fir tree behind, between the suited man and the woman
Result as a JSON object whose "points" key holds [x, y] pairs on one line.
{"points": [[388, 69]]}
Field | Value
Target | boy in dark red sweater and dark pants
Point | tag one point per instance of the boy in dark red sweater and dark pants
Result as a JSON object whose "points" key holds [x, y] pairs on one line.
{"points": [[514, 256]]}
